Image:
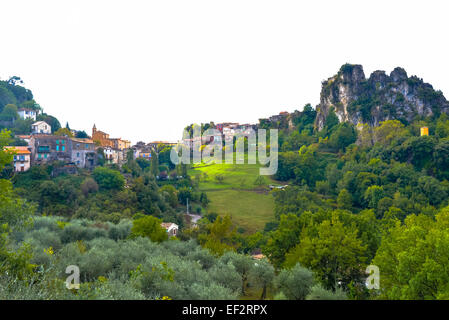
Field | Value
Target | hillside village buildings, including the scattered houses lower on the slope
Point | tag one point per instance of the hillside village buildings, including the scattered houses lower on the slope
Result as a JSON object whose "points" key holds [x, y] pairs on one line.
{"points": [[44, 146]]}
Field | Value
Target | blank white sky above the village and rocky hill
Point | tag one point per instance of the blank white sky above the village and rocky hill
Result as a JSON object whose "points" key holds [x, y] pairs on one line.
{"points": [[143, 70]]}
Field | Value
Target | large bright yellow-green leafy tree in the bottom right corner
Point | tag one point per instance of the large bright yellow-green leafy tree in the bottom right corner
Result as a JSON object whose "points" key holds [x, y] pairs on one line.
{"points": [[413, 258]]}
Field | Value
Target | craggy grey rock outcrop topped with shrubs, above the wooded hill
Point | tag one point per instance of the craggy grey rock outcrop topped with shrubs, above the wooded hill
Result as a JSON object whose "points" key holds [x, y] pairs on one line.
{"points": [[380, 97]]}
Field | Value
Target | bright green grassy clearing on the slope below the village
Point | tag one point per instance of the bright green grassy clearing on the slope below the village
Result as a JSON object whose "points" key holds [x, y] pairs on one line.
{"points": [[237, 194]]}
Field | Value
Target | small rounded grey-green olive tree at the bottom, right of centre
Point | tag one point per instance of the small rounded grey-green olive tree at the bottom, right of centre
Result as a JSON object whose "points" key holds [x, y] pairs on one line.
{"points": [[295, 283]]}
